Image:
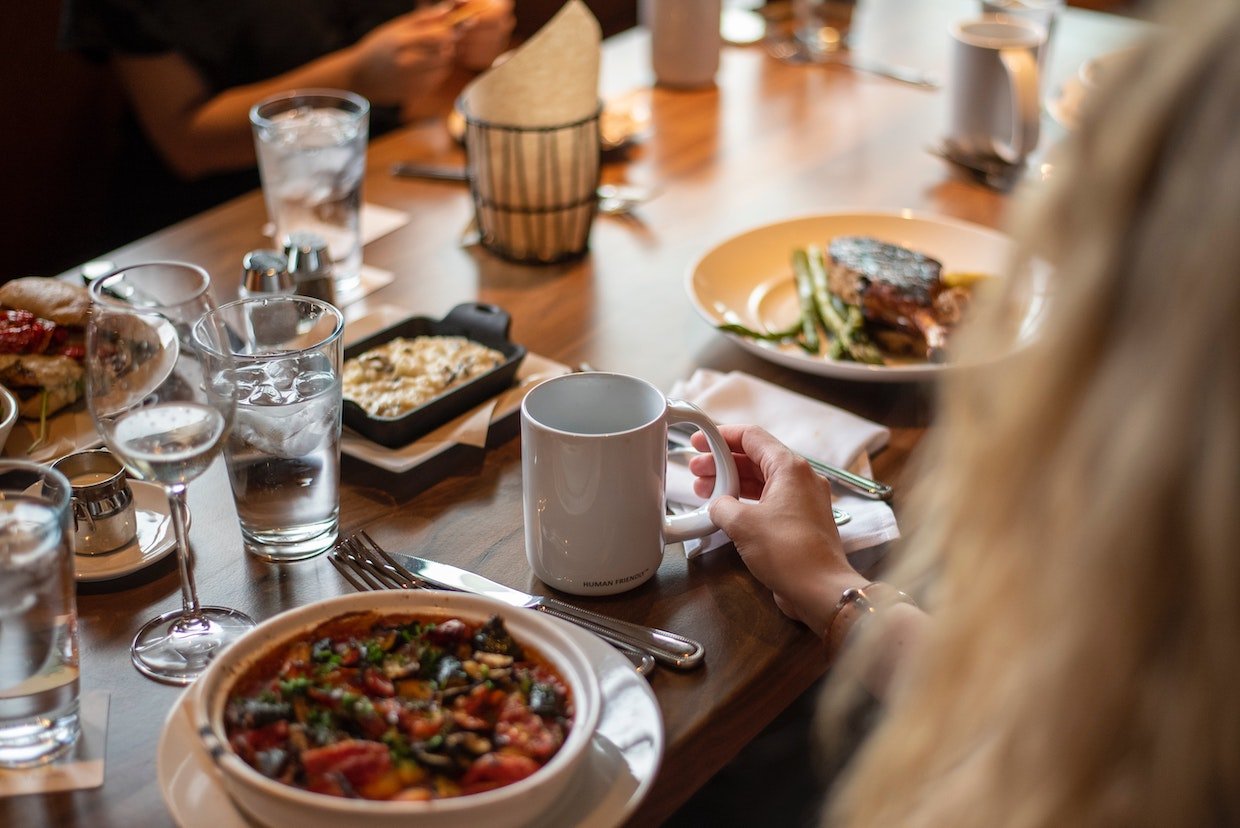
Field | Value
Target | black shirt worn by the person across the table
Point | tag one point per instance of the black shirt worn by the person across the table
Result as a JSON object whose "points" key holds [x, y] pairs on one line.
{"points": [[230, 43]]}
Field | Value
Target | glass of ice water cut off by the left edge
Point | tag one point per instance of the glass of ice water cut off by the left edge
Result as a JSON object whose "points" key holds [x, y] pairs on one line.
{"points": [[39, 654]]}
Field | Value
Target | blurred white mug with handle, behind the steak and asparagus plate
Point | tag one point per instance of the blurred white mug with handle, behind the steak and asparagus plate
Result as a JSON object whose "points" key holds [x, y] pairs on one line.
{"points": [[995, 108]]}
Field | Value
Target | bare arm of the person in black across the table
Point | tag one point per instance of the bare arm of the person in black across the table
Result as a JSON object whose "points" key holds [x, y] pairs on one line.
{"points": [[199, 133]]}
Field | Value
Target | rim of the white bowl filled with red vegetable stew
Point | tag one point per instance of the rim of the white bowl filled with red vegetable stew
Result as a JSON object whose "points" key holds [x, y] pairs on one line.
{"points": [[587, 696]]}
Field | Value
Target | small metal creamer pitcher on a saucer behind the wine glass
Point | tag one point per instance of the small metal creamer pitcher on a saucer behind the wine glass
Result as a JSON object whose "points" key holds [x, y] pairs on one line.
{"points": [[104, 505]]}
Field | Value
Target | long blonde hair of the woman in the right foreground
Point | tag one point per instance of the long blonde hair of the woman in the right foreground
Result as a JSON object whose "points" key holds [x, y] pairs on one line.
{"points": [[1077, 530]]}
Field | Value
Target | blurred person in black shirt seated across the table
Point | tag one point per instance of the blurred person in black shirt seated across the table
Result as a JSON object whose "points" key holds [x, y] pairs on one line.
{"points": [[192, 71]]}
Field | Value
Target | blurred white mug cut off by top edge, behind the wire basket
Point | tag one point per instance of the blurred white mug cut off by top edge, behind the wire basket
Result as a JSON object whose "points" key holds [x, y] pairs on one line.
{"points": [[685, 42]]}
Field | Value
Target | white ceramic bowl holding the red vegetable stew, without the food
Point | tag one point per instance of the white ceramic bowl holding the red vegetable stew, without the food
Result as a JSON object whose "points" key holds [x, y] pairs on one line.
{"points": [[275, 804]]}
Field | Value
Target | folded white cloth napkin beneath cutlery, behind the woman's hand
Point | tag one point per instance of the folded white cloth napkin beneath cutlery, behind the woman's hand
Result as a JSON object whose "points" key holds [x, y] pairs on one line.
{"points": [[807, 426]]}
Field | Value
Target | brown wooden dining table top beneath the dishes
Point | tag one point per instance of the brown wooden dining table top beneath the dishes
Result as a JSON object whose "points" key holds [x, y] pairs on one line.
{"points": [[767, 143]]}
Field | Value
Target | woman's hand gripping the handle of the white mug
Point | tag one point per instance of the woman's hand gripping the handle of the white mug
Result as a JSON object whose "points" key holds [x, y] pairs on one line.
{"points": [[788, 539]]}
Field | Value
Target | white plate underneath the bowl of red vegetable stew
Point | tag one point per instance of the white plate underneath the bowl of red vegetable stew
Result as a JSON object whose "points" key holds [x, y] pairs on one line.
{"points": [[617, 775]]}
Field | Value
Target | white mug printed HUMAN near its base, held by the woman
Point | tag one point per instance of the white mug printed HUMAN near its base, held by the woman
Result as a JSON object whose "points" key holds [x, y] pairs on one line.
{"points": [[595, 469]]}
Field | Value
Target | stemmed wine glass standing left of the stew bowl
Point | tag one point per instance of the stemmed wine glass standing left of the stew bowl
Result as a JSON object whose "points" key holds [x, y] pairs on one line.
{"points": [[166, 420]]}
